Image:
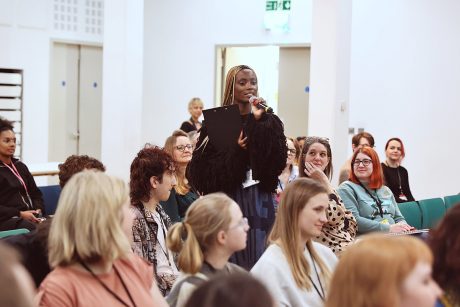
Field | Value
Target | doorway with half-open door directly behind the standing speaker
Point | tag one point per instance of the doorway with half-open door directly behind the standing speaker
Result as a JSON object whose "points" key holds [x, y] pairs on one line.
{"points": [[283, 74]]}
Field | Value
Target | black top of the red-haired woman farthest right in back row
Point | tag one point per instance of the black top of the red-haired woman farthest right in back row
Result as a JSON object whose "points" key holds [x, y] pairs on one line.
{"points": [[397, 179]]}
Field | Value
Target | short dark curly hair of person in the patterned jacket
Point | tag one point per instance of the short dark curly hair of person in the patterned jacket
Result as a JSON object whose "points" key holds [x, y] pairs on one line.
{"points": [[150, 161]]}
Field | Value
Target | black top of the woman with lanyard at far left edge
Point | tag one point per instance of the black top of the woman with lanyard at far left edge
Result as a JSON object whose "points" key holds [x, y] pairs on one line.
{"points": [[13, 196]]}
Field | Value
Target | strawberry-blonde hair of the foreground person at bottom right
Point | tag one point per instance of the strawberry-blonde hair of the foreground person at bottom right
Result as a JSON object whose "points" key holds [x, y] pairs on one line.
{"points": [[374, 269]]}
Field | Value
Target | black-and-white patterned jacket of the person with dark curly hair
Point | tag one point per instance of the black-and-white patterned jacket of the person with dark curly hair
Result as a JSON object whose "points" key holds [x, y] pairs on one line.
{"points": [[145, 242]]}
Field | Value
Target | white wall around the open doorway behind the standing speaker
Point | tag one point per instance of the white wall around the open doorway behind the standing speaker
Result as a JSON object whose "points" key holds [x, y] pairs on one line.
{"points": [[179, 53]]}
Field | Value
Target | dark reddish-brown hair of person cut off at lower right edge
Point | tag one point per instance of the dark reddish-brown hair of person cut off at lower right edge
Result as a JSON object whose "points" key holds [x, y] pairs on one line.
{"points": [[445, 245]]}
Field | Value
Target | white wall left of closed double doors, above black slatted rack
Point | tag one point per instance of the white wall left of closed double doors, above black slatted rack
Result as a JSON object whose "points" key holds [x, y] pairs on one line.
{"points": [[24, 43]]}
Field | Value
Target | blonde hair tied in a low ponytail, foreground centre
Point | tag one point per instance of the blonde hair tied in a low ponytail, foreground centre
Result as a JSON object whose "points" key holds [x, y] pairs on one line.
{"points": [[204, 219]]}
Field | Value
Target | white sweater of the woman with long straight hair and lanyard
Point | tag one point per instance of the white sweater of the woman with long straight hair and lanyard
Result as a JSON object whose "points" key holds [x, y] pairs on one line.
{"points": [[273, 270]]}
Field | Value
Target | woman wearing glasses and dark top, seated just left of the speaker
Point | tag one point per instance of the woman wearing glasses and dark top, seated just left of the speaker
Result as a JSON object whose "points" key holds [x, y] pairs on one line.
{"points": [[180, 147]]}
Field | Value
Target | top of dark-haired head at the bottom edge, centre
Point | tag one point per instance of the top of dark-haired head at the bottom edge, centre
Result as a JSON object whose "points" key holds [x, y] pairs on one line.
{"points": [[240, 290]]}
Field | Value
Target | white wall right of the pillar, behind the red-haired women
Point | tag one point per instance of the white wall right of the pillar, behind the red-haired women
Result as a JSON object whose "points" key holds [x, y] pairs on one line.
{"points": [[405, 77]]}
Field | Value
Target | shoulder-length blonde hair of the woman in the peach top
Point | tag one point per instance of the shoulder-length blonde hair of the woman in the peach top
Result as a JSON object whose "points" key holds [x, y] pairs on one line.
{"points": [[87, 225]]}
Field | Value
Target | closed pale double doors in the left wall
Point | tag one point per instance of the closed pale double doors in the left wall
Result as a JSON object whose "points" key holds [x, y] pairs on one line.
{"points": [[75, 101]]}
